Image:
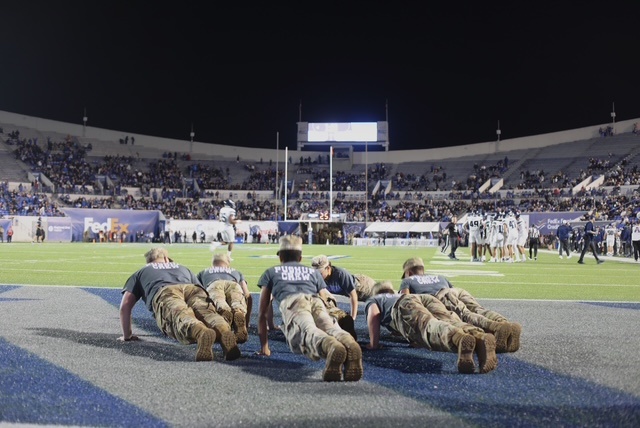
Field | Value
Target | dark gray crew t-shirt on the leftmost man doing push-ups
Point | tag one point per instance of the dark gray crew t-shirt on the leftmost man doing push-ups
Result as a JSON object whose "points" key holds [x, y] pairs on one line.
{"points": [[146, 282]]}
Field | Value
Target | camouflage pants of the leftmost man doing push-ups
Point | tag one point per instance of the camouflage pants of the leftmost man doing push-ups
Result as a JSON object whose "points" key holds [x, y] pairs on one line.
{"points": [[180, 309]]}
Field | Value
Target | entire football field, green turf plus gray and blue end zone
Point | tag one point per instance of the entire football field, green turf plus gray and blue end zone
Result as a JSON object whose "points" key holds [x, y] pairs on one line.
{"points": [[578, 364]]}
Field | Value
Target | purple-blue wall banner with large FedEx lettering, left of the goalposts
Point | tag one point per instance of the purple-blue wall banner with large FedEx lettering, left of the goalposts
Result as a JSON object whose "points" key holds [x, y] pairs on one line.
{"points": [[128, 222]]}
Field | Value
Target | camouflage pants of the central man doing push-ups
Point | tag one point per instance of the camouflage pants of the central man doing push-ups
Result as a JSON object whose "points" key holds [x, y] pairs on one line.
{"points": [[306, 323]]}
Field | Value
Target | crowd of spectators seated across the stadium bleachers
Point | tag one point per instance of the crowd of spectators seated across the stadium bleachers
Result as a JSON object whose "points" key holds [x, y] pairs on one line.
{"points": [[65, 164]]}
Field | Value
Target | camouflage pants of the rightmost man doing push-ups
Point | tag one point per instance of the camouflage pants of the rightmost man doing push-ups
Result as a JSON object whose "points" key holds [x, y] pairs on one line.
{"points": [[468, 309]]}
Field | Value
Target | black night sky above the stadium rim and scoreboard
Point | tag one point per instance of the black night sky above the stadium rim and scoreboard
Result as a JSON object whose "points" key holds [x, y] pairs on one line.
{"points": [[239, 73]]}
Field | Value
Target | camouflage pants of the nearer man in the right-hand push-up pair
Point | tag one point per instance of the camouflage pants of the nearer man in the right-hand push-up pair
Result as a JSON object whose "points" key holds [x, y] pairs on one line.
{"points": [[423, 320]]}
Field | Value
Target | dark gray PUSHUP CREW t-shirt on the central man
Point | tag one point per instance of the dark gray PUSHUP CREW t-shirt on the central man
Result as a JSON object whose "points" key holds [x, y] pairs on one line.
{"points": [[291, 278]]}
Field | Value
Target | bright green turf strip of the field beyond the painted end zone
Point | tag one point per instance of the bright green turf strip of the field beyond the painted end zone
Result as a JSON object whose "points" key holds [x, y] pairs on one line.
{"points": [[548, 277]]}
